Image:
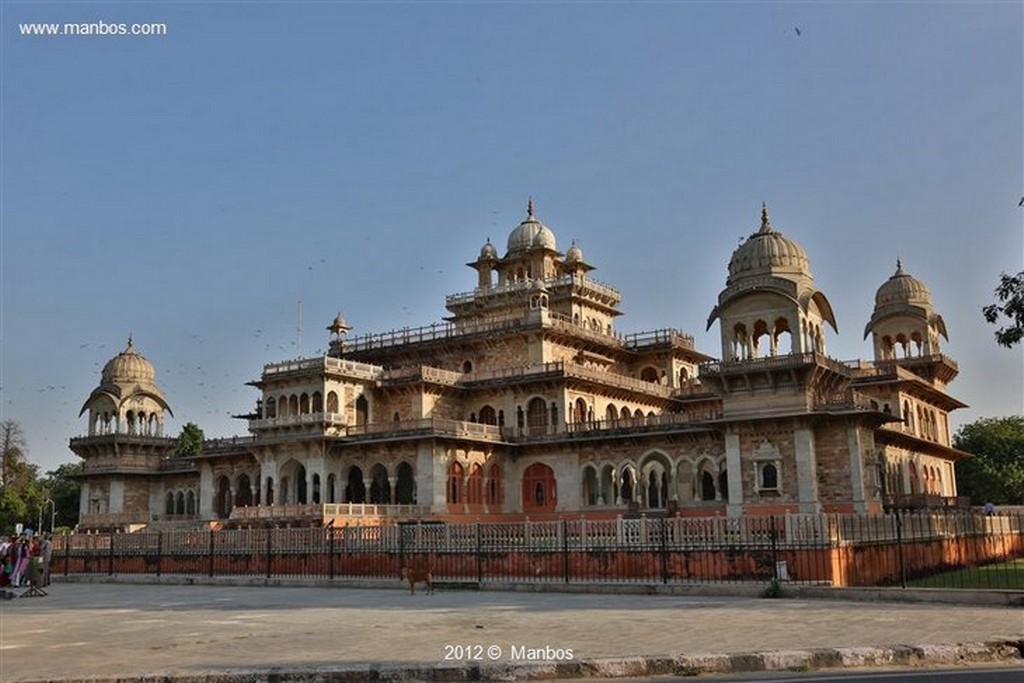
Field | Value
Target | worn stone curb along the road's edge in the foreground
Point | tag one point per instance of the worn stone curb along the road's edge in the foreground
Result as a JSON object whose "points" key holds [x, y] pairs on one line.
{"points": [[1000, 652]]}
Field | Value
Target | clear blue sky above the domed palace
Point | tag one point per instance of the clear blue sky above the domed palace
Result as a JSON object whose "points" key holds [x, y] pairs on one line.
{"points": [[191, 189]]}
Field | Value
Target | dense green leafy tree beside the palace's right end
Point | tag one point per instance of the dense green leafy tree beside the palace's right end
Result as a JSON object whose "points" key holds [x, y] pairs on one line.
{"points": [[997, 472]]}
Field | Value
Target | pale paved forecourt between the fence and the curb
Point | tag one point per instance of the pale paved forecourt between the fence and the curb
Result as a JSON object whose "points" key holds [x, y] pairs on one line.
{"points": [[189, 632]]}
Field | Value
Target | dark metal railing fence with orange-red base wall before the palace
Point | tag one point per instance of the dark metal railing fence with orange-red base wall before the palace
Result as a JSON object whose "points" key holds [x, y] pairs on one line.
{"points": [[844, 550]]}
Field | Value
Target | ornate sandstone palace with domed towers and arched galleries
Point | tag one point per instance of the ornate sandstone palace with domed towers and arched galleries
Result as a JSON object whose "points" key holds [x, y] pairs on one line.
{"points": [[528, 402]]}
